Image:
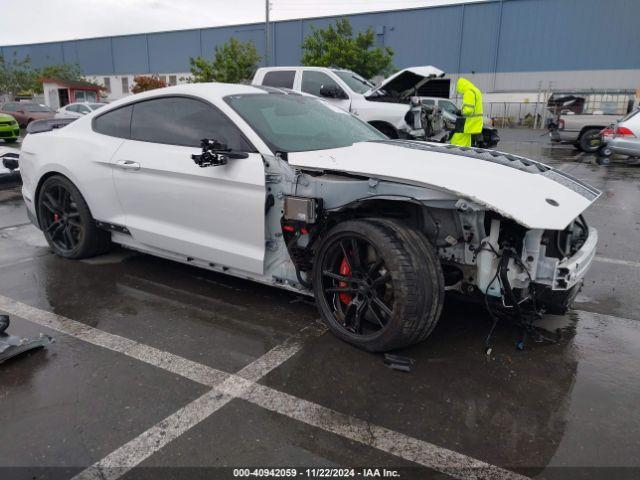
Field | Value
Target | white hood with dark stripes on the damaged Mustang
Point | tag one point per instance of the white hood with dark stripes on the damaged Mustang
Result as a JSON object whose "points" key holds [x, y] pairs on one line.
{"points": [[531, 193]]}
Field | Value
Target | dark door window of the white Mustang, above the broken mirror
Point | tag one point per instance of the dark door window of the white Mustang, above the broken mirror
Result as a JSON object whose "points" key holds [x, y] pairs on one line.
{"points": [[183, 121]]}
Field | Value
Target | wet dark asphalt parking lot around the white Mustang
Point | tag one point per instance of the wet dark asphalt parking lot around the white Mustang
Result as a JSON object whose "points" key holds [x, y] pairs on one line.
{"points": [[565, 410]]}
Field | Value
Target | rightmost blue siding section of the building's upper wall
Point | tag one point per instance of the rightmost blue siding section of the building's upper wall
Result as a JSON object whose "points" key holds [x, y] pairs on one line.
{"points": [[569, 35]]}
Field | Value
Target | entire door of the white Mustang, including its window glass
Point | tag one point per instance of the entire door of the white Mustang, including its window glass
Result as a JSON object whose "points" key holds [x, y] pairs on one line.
{"points": [[215, 214]]}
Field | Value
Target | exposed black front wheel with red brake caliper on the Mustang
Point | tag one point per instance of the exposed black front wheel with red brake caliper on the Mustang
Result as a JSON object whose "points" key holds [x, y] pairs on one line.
{"points": [[412, 289]]}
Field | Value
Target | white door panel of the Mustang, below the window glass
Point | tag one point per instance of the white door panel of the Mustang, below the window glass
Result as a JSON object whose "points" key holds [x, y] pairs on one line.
{"points": [[172, 204]]}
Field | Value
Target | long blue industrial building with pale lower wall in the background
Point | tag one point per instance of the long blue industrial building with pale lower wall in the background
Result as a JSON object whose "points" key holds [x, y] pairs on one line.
{"points": [[517, 47]]}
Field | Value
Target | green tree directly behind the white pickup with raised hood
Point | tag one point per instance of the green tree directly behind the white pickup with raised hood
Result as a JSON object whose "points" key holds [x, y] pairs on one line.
{"points": [[336, 46]]}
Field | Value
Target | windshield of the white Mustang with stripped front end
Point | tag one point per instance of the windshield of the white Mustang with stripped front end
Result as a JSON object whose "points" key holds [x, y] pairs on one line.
{"points": [[296, 123]]}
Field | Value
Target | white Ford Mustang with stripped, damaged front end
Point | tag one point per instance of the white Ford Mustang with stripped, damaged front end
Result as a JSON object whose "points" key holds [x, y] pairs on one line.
{"points": [[287, 190]]}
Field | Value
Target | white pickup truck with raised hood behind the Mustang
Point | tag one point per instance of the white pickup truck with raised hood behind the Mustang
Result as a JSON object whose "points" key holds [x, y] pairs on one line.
{"points": [[387, 107]]}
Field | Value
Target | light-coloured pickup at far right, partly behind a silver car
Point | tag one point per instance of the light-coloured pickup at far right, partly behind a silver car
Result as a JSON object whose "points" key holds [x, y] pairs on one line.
{"points": [[582, 131]]}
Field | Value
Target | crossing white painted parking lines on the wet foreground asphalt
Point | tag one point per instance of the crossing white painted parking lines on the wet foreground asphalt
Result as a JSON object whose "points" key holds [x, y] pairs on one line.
{"points": [[243, 385]]}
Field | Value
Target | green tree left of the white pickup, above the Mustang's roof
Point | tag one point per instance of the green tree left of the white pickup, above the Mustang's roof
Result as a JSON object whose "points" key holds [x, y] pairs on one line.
{"points": [[234, 62]]}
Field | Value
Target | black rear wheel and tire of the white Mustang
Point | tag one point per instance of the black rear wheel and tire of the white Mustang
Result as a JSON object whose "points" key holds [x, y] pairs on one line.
{"points": [[66, 221]]}
